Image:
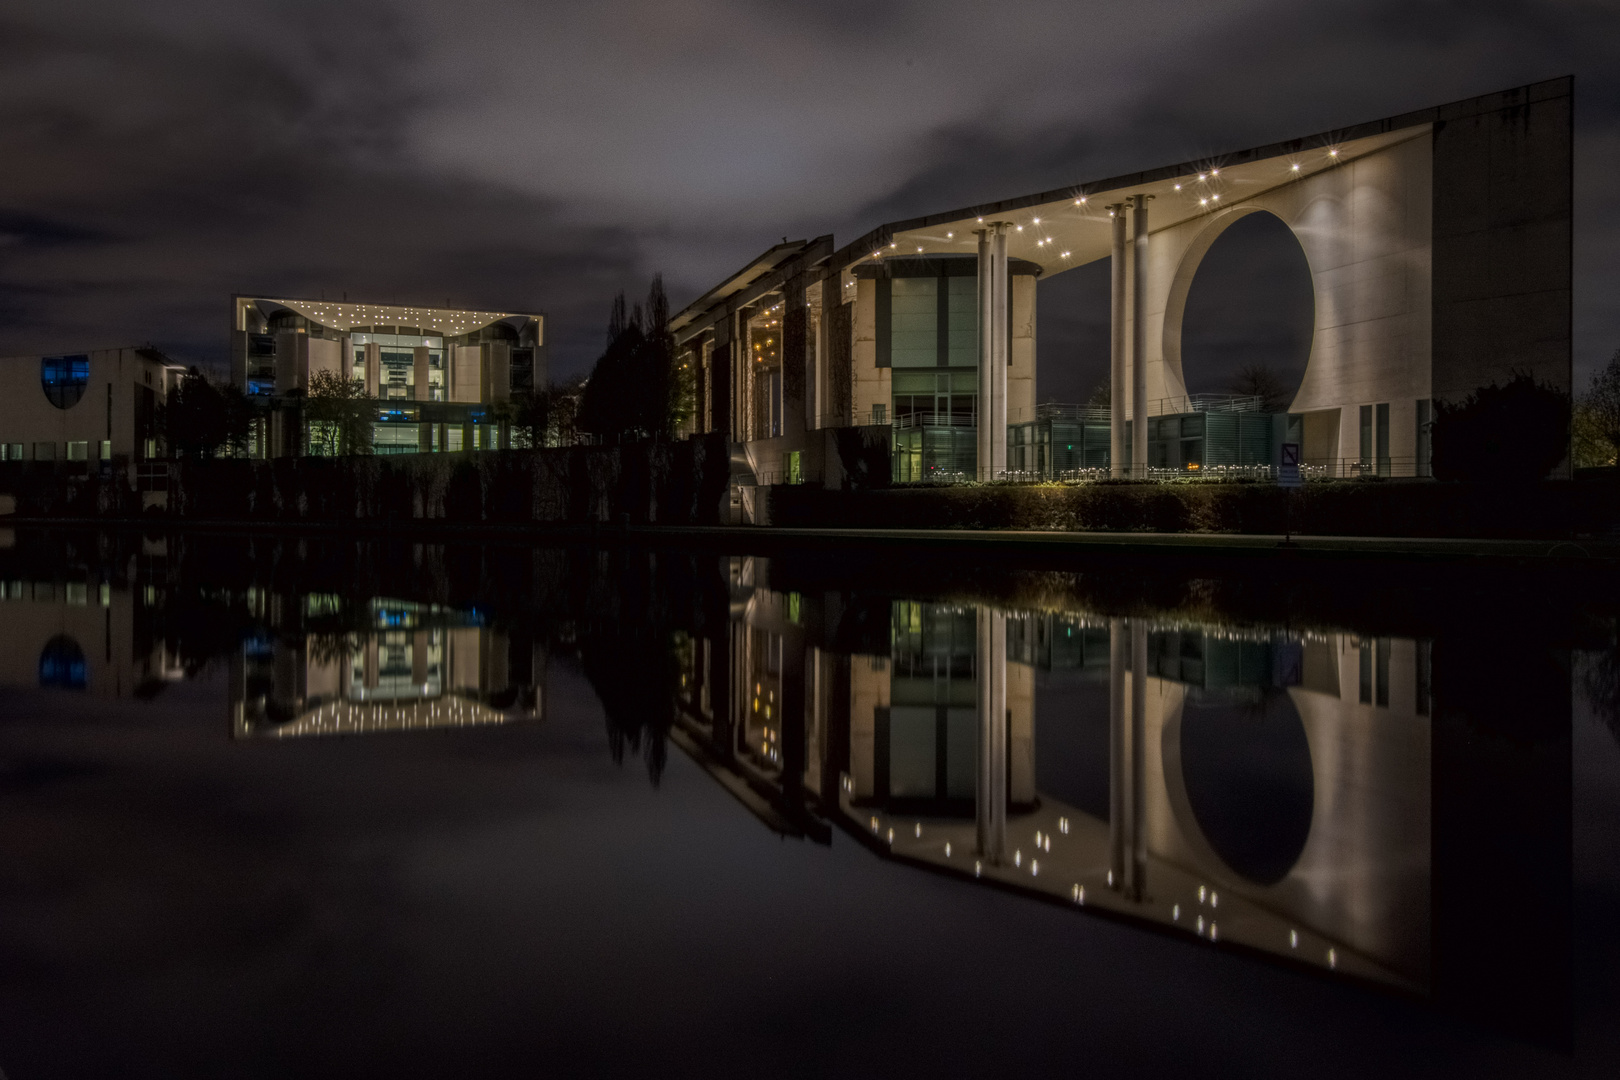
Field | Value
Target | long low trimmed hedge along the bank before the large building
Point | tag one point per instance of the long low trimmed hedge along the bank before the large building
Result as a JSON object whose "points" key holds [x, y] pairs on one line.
{"points": [[1324, 509]]}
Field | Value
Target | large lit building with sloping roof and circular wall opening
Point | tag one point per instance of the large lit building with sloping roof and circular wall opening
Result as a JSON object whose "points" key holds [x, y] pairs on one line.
{"points": [[1433, 278]]}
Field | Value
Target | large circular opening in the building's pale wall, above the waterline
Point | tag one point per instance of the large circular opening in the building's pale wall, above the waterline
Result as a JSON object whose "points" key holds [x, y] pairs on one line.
{"points": [[1250, 315]]}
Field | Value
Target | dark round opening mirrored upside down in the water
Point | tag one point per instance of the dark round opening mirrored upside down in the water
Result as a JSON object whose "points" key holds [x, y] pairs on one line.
{"points": [[1247, 770]]}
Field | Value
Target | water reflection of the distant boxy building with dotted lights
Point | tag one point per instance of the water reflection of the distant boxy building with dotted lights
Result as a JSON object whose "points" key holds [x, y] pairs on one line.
{"points": [[406, 668]]}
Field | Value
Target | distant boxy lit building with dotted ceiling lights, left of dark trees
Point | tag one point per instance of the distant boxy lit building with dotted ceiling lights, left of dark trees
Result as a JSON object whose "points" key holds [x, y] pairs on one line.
{"points": [[433, 372]]}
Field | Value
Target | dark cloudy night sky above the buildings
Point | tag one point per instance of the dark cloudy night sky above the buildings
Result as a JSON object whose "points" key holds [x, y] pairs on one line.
{"points": [[542, 156]]}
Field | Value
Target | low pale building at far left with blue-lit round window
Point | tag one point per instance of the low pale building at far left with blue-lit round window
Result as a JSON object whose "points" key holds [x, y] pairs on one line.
{"points": [[98, 407]]}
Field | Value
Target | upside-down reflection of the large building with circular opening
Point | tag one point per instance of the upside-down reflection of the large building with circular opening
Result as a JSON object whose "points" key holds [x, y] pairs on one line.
{"points": [[1263, 789]]}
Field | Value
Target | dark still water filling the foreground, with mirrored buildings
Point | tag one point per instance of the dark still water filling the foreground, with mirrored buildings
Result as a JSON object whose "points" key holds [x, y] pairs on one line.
{"points": [[335, 807]]}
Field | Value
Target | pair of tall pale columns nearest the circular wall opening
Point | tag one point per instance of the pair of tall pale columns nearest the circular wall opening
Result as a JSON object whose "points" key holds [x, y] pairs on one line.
{"points": [[1128, 357]]}
